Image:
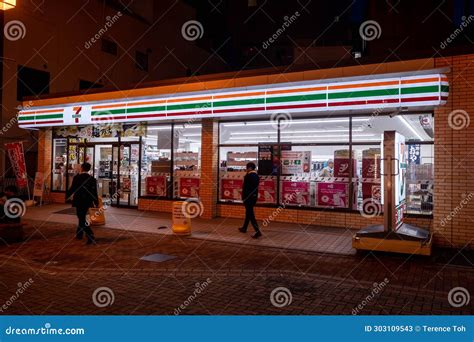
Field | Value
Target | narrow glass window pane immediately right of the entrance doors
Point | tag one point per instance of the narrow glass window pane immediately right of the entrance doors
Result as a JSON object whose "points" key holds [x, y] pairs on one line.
{"points": [[156, 161]]}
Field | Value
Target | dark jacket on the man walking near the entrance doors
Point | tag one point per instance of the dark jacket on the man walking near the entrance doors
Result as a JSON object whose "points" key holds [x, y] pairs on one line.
{"points": [[84, 191]]}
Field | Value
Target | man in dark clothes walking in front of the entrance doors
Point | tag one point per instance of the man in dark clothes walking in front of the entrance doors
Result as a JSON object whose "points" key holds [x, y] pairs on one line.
{"points": [[84, 195]]}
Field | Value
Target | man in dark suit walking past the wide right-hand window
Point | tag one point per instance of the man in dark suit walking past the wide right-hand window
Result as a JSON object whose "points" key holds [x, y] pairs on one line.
{"points": [[250, 196]]}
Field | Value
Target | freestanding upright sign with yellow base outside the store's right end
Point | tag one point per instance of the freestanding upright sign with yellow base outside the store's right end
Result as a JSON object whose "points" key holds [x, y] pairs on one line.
{"points": [[394, 235]]}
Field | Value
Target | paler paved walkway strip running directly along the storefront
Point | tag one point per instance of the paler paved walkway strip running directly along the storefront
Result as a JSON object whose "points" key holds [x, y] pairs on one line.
{"points": [[278, 235]]}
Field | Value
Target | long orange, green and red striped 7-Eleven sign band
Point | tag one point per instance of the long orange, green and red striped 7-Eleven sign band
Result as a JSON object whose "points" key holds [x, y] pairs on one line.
{"points": [[412, 91]]}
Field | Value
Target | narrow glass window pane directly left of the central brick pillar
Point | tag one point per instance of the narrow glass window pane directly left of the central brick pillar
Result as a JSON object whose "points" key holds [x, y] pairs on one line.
{"points": [[187, 160]]}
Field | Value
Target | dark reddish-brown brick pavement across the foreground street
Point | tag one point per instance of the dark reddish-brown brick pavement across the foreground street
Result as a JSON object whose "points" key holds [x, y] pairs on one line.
{"points": [[66, 273]]}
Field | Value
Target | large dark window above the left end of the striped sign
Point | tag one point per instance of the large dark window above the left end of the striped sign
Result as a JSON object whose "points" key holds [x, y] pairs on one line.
{"points": [[31, 82]]}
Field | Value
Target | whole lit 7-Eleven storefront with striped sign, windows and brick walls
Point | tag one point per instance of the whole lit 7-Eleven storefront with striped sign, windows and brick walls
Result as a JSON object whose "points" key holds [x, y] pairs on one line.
{"points": [[153, 145]]}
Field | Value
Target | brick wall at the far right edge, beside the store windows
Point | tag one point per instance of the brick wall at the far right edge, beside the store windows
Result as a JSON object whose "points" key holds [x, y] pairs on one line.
{"points": [[454, 157]]}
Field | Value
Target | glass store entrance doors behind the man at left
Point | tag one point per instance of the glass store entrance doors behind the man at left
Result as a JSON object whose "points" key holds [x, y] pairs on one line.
{"points": [[114, 165]]}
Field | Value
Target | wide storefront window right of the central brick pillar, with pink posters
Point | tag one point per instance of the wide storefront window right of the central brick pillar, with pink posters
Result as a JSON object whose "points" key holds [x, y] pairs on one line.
{"points": [[310, 159]]}
